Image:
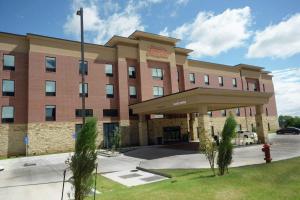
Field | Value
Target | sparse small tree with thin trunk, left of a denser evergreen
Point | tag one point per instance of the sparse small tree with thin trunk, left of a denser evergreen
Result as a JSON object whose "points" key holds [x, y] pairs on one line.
{"points": [[209, 147]]}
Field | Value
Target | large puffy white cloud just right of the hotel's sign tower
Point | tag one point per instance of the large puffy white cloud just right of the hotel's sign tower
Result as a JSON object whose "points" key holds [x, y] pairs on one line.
{"points": [[210, 34]]}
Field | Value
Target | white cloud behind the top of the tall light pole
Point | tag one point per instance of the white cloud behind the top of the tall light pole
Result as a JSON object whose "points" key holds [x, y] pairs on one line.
{"points": [[101, 26]]}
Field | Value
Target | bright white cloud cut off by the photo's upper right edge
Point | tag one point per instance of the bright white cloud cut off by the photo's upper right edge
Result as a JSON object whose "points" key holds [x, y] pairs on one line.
{"points": [[278, 41]]}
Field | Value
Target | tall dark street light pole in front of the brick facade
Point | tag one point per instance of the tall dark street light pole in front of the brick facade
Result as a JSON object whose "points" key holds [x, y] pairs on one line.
{"points": [[82, 66]]}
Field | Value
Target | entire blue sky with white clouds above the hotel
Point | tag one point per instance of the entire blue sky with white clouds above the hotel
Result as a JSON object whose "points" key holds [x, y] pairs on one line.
{"points": [[263, 33]]}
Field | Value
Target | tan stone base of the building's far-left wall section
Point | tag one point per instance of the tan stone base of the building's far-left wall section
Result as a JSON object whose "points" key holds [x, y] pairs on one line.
{"points": [[12, 139]]}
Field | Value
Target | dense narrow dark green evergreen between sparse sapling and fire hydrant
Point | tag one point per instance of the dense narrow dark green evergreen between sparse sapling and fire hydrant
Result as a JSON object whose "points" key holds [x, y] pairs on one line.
{"points": [[226, 147]]}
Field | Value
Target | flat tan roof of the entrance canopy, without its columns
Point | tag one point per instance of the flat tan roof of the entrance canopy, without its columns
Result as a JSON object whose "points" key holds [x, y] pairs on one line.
{"points": [[190, 100]]}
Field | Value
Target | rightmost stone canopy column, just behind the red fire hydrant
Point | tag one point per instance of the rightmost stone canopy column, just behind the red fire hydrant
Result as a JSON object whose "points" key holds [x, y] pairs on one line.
{"points": [[261, 124]]}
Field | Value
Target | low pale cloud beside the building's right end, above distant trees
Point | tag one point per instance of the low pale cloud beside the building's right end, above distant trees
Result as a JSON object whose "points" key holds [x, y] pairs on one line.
{"points": [[287, 91]]}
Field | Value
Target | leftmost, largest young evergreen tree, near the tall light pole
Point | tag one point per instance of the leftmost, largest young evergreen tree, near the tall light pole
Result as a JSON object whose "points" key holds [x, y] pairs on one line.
{"points": [[83, 161]]}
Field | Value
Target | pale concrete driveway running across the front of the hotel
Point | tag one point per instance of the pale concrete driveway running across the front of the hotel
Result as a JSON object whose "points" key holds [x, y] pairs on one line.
{"points": [[44, 179]]}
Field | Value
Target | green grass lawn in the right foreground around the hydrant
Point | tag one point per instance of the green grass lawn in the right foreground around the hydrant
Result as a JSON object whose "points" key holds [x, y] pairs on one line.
{"points": [[278, 180]]}
